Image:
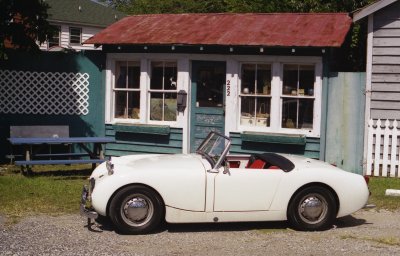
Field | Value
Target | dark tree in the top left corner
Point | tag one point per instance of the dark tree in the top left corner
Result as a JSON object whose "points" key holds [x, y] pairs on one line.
{"points": [[23, 23]]}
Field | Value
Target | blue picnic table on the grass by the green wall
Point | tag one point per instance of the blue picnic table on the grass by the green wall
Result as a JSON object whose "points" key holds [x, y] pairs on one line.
{"points": [[95, 153]]}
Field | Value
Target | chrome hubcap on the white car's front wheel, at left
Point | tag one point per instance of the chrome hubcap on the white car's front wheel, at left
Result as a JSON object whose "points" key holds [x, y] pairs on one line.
{"points": [[137, 210]]}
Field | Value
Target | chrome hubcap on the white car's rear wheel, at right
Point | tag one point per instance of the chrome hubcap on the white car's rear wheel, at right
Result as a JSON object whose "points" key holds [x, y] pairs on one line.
{"points": [[312, 209]]}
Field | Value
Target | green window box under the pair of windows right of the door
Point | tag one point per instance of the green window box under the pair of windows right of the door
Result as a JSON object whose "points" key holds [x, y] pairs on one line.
{"points": [[274, 138]]}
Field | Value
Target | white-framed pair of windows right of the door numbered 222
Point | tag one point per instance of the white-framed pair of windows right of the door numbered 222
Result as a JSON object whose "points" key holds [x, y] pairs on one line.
{"points": [[283, 103]]}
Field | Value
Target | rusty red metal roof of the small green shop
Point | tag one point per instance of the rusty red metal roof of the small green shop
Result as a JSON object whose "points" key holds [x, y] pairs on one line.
{"points": [[273, 29]]}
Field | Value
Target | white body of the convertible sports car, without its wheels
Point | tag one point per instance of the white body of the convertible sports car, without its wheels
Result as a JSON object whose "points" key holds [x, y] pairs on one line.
{"points": [[194, 191]]}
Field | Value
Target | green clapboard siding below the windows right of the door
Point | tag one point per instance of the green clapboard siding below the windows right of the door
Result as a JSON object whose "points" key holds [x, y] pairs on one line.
{"points": [[310, 148]]}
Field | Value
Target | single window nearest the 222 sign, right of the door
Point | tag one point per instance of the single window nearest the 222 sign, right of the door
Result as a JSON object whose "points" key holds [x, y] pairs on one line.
{"points": [[255, 95]]}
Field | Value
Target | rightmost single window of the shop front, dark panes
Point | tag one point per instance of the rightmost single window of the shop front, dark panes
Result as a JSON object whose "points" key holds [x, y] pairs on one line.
{"points": [[298, 96]]}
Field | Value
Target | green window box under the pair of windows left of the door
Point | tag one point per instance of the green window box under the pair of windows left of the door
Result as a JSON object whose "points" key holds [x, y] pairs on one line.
{"points": [[142, 128]]}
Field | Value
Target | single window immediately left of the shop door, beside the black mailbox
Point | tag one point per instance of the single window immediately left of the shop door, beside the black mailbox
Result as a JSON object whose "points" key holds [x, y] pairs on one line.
{"points": [[163, 91]]}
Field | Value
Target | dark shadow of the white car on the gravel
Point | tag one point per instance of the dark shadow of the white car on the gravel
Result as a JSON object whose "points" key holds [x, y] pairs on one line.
{"points": [[104, 224]]}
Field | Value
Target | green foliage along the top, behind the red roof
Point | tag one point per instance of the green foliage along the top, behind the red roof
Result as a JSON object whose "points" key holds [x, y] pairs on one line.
{"points": [[236, 6]]}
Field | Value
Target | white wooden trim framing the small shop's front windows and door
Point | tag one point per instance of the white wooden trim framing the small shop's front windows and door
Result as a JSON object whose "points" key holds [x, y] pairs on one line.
{"points": [[232, 124]]}
